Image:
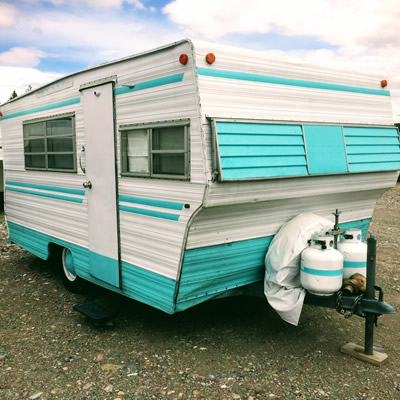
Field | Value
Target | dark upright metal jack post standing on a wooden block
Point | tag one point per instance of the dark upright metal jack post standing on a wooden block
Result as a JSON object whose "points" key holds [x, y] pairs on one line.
{"points": [[370, 294]]}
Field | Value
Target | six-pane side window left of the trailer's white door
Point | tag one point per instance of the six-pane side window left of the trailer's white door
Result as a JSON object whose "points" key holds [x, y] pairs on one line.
{"points": [[49, 144]]}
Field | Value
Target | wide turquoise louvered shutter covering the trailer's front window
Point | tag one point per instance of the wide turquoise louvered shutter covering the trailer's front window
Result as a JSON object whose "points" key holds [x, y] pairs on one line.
{"points": [[250, 150]]}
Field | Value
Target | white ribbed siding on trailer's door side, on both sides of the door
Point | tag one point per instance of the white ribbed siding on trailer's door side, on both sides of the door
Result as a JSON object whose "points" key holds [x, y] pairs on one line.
{"points": [[147, 242]]}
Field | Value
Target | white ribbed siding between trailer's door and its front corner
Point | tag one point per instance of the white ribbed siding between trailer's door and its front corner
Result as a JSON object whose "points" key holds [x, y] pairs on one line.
{"points": [[156, 244]]}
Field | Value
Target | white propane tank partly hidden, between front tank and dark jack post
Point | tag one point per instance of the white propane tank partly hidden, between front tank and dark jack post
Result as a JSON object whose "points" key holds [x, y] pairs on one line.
{"points": [[354, 253]]}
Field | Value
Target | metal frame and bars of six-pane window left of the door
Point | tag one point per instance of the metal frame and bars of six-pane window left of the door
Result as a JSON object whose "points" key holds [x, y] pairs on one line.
{"points": [[47, 153]]}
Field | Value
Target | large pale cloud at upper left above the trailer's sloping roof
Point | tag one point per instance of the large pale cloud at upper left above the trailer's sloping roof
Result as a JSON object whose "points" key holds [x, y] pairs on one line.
{"points": [[91, 38]]}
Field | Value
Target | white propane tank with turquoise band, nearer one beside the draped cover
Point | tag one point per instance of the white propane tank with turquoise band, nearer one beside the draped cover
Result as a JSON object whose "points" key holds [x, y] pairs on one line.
{"points": [[321, 270]]}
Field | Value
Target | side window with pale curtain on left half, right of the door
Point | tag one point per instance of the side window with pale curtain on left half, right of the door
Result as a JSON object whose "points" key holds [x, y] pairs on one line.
{"points": [[159, 151]]}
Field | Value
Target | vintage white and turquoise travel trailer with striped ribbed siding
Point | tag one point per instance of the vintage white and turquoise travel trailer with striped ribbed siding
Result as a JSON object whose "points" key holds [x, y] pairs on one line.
{"points": [[164, 176]]}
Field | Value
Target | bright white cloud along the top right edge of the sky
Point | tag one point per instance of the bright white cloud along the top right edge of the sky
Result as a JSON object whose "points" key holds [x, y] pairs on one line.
{"points": [[334, 21]]}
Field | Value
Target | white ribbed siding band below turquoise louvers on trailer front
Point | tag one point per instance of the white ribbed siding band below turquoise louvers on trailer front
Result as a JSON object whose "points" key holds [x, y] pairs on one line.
{"points": [[244, 210]]}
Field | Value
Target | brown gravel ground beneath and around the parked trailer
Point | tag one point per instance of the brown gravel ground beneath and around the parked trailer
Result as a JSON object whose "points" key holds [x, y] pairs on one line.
{"points": [[236, 348]]}
